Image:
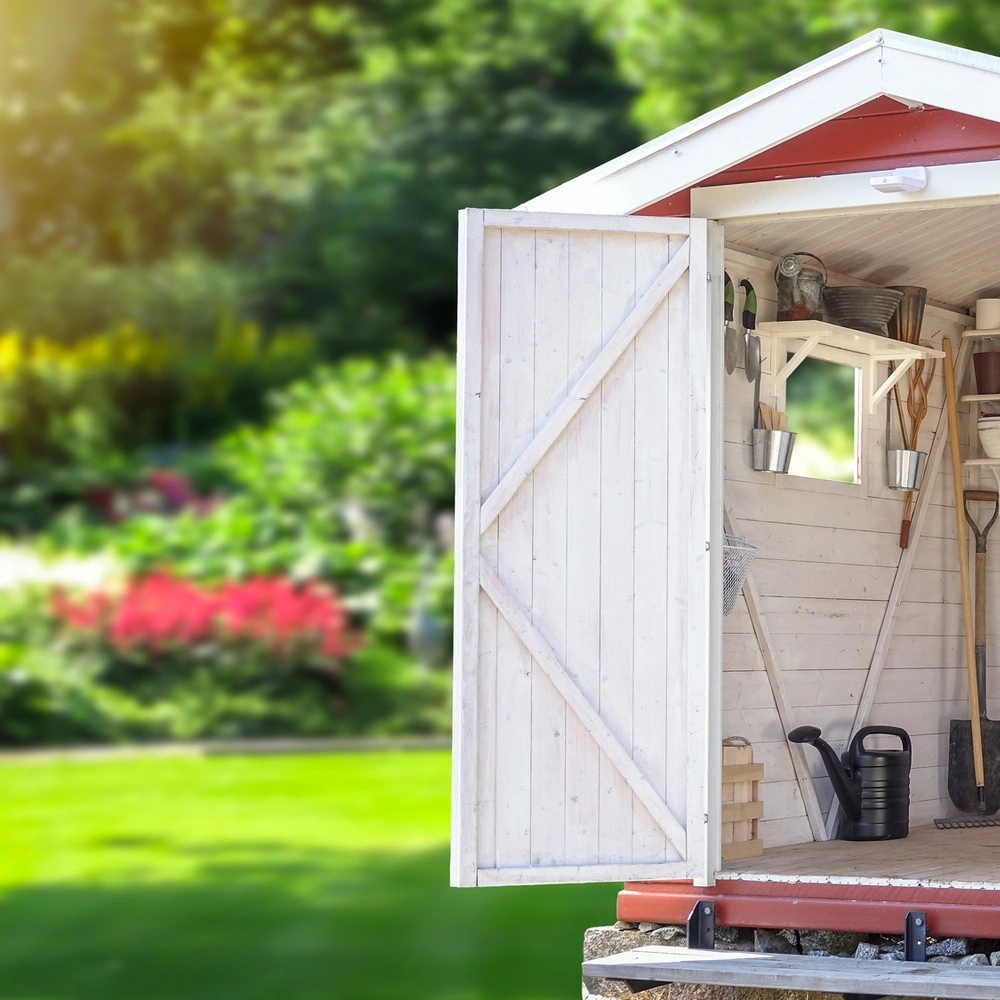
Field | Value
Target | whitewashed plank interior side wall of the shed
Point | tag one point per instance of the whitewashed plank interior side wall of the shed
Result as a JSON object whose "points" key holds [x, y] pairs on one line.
{"points": [[826, 560]]}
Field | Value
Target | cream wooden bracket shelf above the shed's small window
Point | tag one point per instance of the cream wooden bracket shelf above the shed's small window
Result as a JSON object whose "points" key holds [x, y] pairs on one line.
{"points": [[814, 333]]}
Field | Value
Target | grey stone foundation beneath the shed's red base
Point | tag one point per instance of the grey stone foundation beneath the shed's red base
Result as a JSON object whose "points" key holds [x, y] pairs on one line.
{"points": [[599, 942]]}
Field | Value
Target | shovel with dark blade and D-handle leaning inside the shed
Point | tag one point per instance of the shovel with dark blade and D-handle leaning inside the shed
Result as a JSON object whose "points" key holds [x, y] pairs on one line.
{"points": [[962, 786]]}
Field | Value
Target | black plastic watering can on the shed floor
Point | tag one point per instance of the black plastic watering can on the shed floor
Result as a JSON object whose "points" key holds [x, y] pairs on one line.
{"points": [[873, 785]]}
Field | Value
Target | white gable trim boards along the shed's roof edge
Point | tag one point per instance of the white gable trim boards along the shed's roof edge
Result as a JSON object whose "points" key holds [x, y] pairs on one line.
{"points": [[881, 63]]}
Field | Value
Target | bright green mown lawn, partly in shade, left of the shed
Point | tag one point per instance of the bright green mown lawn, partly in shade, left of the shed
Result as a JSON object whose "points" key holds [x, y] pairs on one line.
{"points": [[247, 878]]}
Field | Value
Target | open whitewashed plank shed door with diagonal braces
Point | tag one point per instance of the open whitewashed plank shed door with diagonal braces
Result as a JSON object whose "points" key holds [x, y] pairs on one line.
{"points": [[588, 592]]}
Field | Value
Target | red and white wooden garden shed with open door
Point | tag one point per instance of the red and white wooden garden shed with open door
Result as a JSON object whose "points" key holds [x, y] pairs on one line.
{"points": [[605, 452]]}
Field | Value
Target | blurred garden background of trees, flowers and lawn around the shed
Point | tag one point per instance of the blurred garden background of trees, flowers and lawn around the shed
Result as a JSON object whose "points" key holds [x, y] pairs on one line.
{"points": [[227, 298]]}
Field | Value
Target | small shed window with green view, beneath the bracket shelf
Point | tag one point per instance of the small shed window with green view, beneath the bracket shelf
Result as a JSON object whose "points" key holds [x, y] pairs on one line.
{"points": [[822, 405]]}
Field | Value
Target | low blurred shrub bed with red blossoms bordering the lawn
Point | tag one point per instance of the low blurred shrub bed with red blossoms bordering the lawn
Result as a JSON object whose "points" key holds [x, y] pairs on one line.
{"points": [[146, 663]]}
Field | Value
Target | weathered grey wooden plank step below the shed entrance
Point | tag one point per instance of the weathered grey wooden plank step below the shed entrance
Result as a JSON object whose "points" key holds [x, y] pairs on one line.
{"points": [[644, 968]]}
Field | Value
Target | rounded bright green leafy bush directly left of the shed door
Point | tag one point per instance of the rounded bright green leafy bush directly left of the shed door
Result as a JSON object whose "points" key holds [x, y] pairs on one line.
{"points": [[379, 435]]}
